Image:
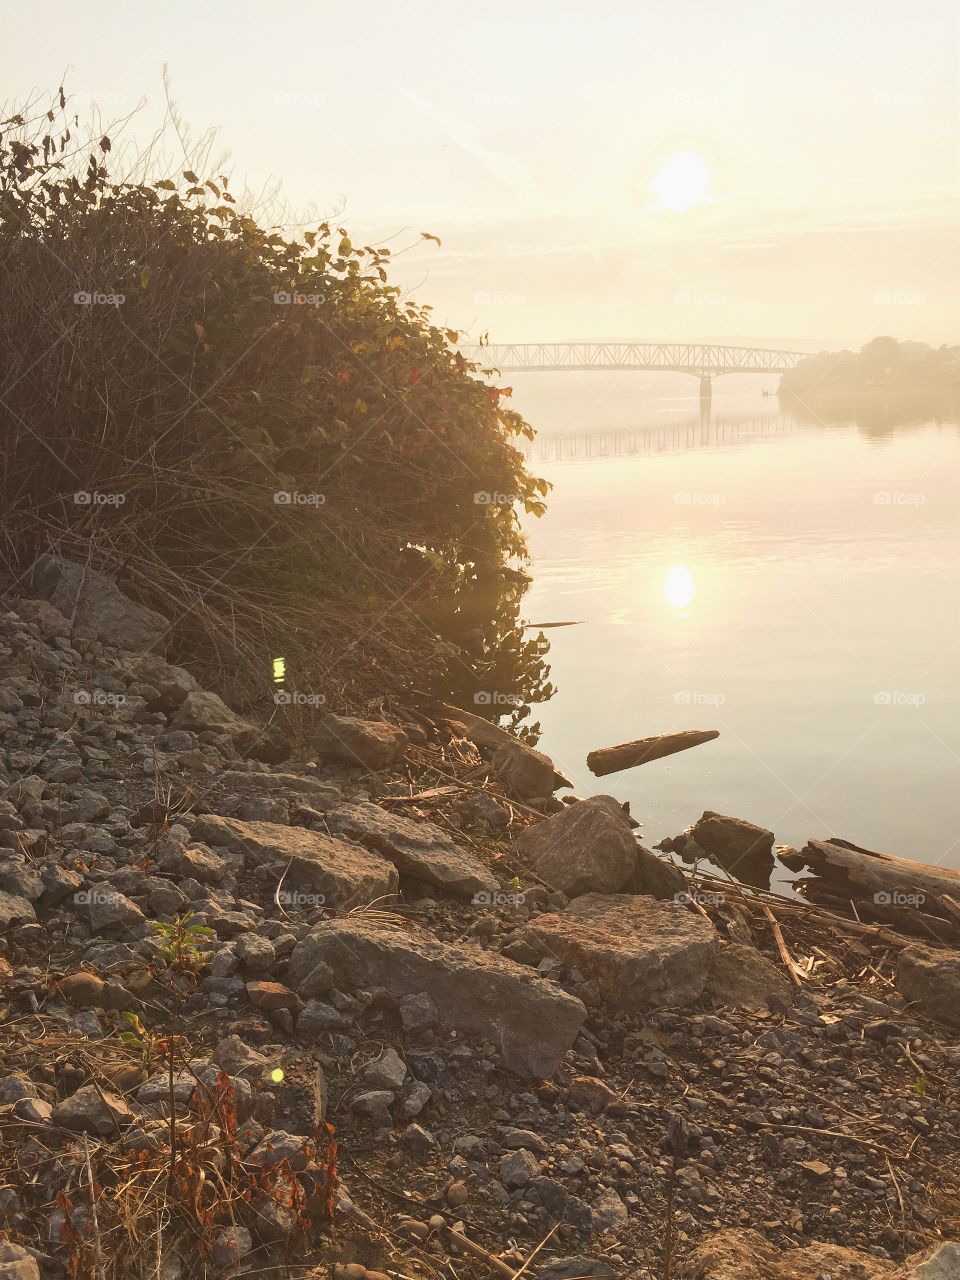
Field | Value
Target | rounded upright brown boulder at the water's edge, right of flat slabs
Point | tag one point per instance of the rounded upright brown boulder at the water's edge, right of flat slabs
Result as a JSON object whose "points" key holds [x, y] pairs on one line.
{"points": [[591, 848]]}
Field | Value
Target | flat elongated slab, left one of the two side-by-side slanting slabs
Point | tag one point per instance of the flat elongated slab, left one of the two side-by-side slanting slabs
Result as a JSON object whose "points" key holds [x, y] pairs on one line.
{"points": [[345, 875]]}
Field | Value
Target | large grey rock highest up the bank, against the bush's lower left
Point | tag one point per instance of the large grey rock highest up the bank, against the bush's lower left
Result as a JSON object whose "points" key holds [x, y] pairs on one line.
{"points": [[98, 606]]}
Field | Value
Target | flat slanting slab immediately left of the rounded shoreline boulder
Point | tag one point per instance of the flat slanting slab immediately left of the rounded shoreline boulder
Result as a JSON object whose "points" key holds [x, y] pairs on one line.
{"points": [[417, 849]]}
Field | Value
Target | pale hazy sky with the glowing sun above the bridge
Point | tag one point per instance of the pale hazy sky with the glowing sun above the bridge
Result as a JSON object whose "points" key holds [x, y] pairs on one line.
{"points": [[775, 170]]}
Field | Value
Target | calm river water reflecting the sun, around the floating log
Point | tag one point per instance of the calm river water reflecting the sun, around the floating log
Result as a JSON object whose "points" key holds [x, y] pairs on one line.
{"points": [[794, 586]]}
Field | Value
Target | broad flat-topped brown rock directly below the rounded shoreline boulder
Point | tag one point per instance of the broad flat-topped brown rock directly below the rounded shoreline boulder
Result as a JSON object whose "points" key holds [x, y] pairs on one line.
{"points": [[641, 952]]}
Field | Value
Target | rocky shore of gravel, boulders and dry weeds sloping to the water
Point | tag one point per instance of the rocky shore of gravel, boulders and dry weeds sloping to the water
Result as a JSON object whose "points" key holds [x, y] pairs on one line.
{"points": [[380, 1004]]}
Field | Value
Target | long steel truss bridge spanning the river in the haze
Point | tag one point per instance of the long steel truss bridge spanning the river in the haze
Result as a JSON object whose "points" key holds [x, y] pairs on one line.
{"points": [[702, 360]]}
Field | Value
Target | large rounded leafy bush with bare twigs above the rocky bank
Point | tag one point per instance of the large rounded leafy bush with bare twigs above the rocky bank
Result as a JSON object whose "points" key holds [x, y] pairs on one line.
{"points": [[252, 429]]}
